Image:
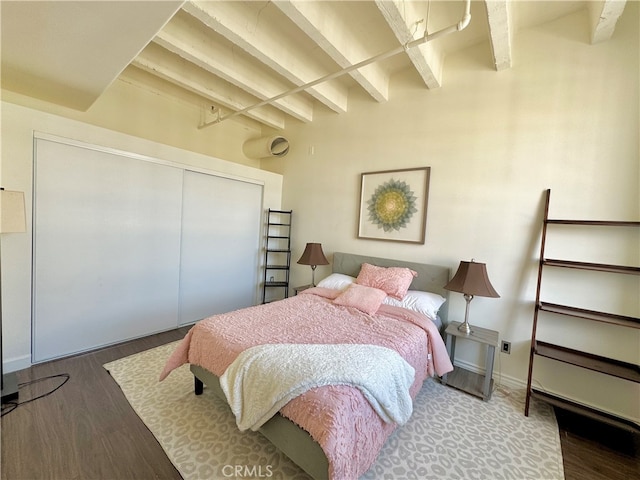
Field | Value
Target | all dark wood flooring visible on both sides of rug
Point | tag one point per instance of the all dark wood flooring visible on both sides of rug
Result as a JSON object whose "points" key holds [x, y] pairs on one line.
{"points": [[87, 430]]}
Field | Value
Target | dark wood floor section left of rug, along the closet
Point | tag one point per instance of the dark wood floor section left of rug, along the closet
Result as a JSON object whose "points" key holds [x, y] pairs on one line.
{"points": [[86, 429]]}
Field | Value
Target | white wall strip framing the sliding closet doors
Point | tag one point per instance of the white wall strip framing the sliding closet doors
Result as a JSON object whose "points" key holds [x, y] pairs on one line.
{"points": [[18, 125]]}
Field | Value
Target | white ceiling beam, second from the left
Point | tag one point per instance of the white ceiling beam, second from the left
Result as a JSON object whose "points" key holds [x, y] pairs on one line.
{"points": [[220, 61]]}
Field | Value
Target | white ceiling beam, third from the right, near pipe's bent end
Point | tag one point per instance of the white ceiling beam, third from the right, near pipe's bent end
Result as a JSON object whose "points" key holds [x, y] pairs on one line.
{"points": [[425, 59]]}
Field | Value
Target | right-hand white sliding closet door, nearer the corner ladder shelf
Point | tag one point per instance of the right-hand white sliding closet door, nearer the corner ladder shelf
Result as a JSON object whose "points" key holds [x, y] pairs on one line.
{"points": [[220, 245]]}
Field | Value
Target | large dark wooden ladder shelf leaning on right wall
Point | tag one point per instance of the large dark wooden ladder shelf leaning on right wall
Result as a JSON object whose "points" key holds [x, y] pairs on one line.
{"points": [[608, 366]]}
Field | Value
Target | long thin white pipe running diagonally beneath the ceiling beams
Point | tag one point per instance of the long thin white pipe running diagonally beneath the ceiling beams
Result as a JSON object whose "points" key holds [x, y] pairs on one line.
{"points": [[456, 27]]}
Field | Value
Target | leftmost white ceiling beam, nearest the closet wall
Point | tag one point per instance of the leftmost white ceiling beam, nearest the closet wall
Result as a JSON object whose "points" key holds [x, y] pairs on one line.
{"points": [[189, 78]]}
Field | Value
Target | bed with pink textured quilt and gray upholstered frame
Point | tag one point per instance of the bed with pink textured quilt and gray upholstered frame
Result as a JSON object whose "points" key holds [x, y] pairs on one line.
{"points": [[285, 429]]}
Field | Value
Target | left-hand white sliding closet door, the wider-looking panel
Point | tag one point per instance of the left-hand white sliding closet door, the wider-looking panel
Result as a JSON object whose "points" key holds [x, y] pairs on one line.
{"points": [[106, 248]]}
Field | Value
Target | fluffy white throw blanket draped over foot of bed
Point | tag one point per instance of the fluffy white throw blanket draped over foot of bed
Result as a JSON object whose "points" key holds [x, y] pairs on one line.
{"points": [[264, 378]]}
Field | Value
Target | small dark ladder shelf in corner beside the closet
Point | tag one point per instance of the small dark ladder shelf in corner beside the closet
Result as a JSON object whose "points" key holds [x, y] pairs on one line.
{"points": [[277, 253]]}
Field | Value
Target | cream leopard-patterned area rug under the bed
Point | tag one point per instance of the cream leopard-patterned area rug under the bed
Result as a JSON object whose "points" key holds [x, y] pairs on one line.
{"points": [[451, 435]]}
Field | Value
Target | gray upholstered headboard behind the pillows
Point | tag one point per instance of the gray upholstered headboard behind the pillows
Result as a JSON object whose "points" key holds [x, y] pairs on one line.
{"points": [[431, 278]]}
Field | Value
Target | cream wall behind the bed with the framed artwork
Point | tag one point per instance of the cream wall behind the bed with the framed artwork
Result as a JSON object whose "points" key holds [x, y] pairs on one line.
{"points": [[564, 117]]}
